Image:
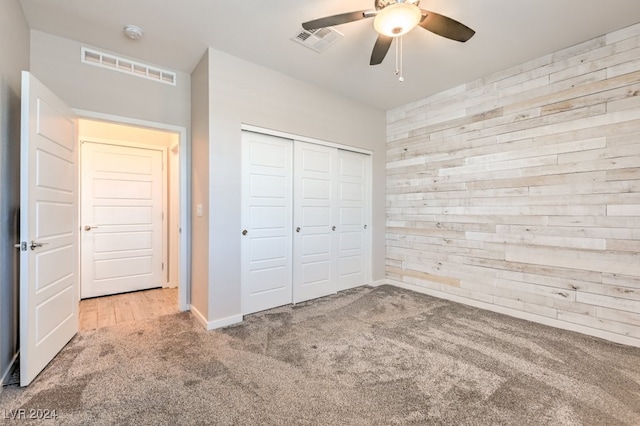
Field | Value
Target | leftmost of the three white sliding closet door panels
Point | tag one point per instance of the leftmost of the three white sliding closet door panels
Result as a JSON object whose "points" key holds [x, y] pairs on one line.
{"points": [[267, 222]]}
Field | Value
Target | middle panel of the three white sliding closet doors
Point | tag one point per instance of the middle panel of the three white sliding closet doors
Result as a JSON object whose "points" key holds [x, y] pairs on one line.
{"points": [[315, 261]]}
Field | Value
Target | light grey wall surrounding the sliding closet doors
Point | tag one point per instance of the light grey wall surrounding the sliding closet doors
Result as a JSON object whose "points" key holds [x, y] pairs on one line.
{"points": [[242, 92]]}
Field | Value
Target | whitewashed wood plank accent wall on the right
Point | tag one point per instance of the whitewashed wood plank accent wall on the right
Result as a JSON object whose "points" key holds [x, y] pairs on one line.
{"points": [[520, 192]]}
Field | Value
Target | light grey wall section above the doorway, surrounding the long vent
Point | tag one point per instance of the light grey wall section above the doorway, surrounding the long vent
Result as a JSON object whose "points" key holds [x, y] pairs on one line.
{"points": [[55, 61]]}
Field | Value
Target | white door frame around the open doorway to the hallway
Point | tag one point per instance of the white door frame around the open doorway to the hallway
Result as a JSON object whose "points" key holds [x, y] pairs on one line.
{"points": [[184, 261]]}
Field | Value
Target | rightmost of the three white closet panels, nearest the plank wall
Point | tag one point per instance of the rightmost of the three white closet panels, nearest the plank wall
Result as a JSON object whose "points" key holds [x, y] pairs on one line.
{"points": [[353, 217]]}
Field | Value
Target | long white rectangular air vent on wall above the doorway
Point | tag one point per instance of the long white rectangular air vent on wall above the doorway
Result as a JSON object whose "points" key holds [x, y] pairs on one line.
{"points": [[106, 60]]}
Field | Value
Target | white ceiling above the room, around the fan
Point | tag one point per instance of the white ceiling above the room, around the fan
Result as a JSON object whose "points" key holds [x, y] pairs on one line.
{"points": [[176, 34]]}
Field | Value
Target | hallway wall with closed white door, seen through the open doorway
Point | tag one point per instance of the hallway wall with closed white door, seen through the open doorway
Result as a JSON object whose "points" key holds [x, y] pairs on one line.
{"points": [[136, 245]]}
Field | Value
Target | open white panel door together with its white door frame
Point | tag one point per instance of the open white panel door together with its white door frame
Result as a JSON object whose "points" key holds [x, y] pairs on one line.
{"points": [[49, 226]]}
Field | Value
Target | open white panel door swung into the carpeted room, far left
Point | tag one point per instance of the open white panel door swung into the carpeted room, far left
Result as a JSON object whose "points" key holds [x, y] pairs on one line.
{"points": [[48, 228]]}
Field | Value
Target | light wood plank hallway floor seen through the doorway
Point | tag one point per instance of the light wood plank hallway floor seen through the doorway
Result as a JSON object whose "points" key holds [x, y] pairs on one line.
{"points": [[104, 311]]}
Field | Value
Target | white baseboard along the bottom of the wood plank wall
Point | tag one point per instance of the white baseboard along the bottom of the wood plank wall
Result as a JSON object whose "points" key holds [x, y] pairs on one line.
{"points": [[612, 337]]}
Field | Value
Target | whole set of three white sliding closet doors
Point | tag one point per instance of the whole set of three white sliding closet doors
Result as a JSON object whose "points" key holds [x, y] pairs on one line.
{"points": [[305, 218]]}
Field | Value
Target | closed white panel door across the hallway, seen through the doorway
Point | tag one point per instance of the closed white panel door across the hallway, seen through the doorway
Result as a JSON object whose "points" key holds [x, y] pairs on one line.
{"points": [[122, 219]]}
